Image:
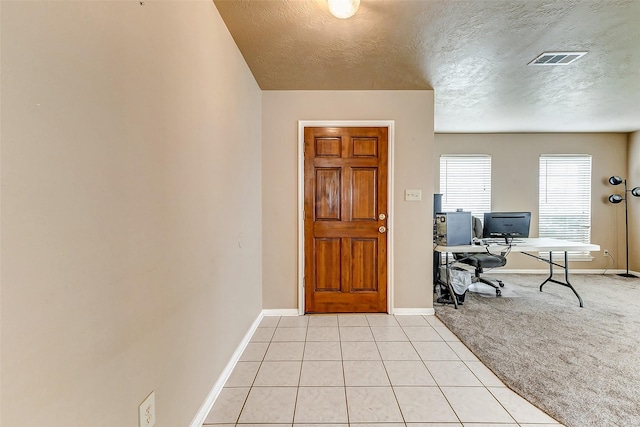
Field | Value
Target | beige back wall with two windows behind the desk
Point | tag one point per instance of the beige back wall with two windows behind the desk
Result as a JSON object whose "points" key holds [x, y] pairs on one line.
{"points": [[514, 181]]}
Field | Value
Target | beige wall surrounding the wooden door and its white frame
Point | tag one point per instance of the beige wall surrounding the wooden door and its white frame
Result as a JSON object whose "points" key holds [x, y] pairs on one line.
{"points": [[412, 112]]}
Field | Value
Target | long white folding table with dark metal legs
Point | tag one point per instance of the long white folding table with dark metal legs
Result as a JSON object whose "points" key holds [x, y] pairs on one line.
{"points": [[527, 246]]}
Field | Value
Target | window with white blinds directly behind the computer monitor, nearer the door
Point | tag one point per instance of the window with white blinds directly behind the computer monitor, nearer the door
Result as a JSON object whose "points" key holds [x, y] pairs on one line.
{"points": [[465, 183]]}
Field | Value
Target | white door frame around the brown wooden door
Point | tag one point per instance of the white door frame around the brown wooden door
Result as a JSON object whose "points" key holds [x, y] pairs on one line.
{"points": [[390, 125]]}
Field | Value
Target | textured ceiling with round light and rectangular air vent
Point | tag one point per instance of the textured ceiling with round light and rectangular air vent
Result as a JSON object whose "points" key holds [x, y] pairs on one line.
{"points": [[473, 53]]}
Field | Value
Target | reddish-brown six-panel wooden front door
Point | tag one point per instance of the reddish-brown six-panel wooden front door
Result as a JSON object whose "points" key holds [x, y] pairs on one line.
{"points": [[345, 219]]}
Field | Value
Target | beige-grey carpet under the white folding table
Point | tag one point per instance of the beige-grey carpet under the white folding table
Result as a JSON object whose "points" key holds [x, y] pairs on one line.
{"points": [[580, 365]]}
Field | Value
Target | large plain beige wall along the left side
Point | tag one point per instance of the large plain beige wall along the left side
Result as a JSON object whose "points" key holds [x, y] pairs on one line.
{"points": [[131, 209]]}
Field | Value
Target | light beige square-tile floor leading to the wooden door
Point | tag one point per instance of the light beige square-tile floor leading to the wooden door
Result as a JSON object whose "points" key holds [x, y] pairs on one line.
{"points": [[365, 370]]}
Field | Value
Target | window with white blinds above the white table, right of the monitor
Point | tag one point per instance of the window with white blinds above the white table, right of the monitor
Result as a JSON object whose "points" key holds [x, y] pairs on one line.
{"points": [[565, 198]]}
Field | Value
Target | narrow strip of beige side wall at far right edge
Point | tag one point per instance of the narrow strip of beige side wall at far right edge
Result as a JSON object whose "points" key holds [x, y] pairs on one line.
{"points": [[634, 202]]}
